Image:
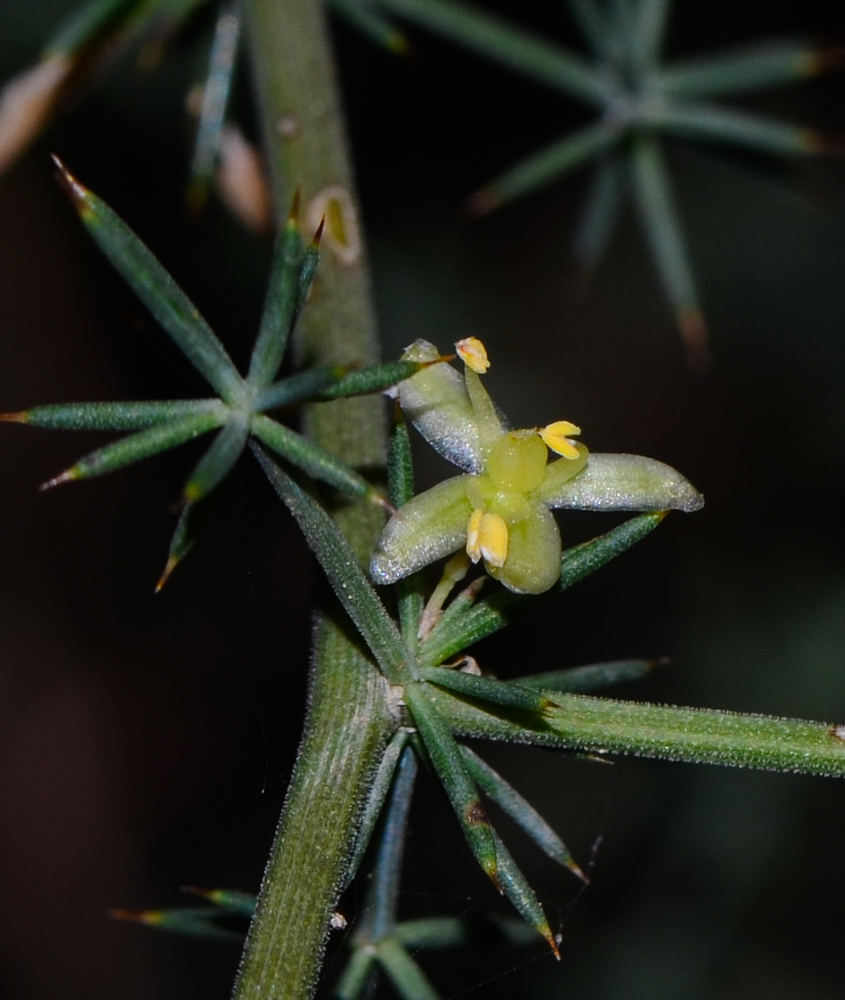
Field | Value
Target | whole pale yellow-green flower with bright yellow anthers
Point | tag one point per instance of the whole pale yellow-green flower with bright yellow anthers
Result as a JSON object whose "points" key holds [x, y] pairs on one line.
{"points": [[500, 509]]}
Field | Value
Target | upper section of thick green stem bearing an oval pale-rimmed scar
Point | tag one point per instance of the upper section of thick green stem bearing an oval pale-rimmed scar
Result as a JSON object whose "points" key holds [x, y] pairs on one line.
{"points": [[308, 151]]}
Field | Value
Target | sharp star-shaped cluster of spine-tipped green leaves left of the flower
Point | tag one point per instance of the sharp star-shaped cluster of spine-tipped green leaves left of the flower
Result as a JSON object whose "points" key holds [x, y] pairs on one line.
{"points": [[241, 406]]}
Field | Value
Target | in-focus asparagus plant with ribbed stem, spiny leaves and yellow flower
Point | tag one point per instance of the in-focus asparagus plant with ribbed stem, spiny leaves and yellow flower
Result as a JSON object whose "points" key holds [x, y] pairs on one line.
{"points": [[393, 679]]}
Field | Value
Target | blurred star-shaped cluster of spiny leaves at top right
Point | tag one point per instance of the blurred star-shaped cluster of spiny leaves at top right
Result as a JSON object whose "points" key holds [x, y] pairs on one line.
{"points": [[640, 100]]}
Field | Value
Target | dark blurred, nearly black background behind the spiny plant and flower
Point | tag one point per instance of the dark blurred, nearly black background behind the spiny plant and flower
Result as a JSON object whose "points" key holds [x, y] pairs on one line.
{"points": [[145, 741]]}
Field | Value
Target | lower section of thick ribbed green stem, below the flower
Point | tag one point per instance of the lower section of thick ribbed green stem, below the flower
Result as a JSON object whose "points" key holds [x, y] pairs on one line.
{"points": [[343, 741]]}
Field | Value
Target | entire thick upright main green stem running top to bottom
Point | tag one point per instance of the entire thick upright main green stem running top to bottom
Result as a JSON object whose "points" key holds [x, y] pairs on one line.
{"points": [[348, 723]]}
